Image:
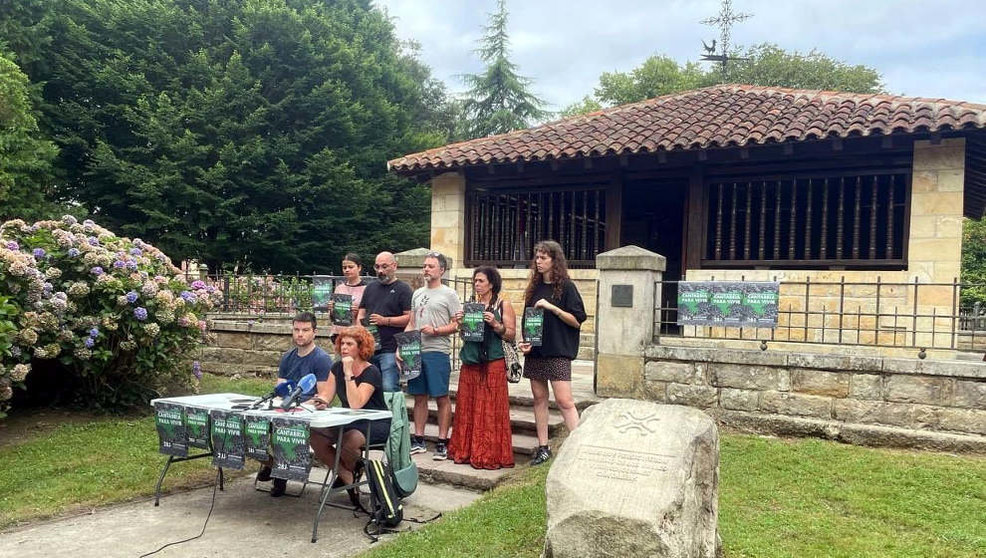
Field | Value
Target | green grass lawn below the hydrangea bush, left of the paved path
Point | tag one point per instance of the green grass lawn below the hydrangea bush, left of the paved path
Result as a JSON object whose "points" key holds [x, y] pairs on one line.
{"points": [[86, 461]]}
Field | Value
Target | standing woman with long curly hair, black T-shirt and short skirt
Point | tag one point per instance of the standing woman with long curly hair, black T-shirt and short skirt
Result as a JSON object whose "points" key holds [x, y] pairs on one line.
{"points": [[550, 288]]}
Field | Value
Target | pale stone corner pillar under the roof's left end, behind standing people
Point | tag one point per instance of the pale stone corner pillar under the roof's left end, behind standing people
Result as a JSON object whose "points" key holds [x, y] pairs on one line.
{"points": [[448, 215]]}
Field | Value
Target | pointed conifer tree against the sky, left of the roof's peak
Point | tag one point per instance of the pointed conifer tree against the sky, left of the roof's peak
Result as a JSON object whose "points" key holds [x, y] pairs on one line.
{"points": [[499, 99]]}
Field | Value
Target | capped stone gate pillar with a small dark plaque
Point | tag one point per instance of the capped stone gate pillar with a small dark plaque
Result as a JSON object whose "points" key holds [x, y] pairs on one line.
{"points": [[628, 290]]}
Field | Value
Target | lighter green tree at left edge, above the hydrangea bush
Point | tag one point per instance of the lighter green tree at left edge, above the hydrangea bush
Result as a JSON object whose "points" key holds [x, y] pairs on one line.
{"points": [[25, 156]]}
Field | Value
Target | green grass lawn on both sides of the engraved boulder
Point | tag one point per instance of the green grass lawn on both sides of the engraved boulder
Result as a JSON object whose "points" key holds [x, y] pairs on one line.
{"points": [[790, 498]]}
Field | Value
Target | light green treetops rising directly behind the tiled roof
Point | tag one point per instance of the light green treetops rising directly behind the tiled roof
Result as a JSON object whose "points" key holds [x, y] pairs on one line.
{"points": [[765, 64]]}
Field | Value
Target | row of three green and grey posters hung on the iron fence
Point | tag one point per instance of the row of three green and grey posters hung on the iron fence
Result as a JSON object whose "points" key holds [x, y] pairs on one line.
{"points": [[728, 303]]}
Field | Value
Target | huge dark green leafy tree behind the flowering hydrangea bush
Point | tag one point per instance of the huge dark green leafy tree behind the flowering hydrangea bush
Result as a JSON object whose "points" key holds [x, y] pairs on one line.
{"points": [[247, 133]]}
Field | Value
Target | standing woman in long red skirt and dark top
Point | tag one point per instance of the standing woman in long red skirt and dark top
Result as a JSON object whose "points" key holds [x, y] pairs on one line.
{"points": [[481, 427]]}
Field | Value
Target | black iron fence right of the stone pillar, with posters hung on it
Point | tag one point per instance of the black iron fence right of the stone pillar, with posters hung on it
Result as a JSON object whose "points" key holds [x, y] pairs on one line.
{"points": [[878, 313]]}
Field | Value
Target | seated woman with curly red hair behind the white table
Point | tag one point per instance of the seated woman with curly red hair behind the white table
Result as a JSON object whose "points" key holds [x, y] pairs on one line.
{"points": [[359, 385]]}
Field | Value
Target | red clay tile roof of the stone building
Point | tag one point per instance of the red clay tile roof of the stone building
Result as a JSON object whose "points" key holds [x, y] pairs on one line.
{"points": [[720, 116]]}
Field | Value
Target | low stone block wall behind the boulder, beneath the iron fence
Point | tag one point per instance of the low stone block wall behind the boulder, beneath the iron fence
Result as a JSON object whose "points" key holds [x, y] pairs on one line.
{"points": [[857, 399]]}
